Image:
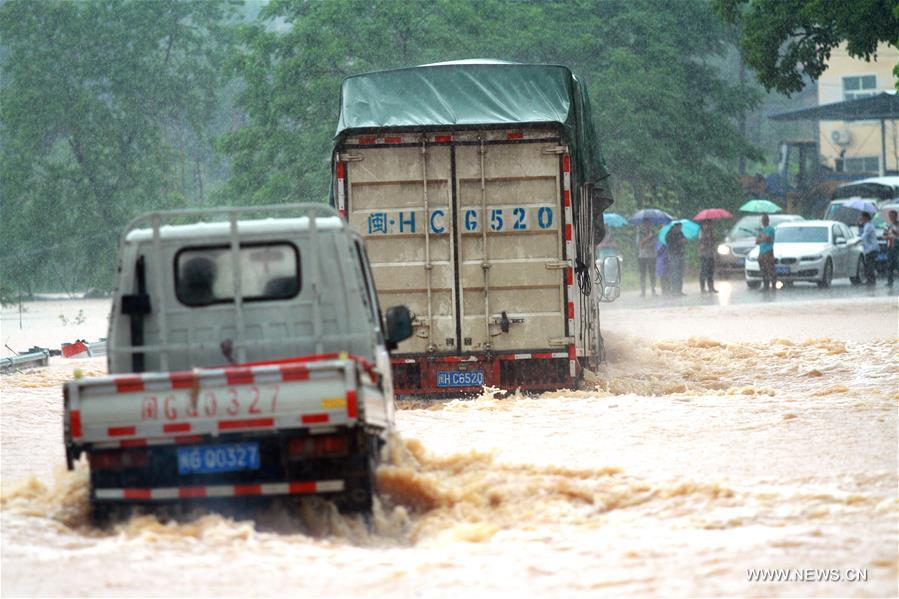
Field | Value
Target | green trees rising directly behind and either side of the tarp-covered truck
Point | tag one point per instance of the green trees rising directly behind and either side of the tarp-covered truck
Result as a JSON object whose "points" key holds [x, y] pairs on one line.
{"points": [[664, 113]]}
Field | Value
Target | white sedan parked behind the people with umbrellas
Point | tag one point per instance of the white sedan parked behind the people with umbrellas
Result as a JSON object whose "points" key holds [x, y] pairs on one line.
{"points": [[816, 251]]}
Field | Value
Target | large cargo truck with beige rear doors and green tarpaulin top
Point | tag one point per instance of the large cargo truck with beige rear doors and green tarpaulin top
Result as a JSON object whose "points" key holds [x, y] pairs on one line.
{"points": [[479, 188]]}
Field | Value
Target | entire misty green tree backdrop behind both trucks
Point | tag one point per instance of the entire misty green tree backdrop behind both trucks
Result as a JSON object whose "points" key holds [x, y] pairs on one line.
{"points": [[107, 106]]}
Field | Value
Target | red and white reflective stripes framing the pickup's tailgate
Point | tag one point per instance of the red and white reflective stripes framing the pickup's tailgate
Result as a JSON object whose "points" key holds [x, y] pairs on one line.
{"points": [[286, 371]]}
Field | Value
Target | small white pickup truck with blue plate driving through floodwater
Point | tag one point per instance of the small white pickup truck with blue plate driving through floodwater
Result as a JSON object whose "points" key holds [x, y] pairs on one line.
{"points": [[246, 358]]}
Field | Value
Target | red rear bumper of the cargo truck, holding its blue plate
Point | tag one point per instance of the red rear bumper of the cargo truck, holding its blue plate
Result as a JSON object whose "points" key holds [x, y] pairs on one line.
{"points": [[429, 375]]}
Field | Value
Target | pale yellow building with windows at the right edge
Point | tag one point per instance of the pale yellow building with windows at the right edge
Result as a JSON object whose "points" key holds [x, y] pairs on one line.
{"points": [[856, 148]]}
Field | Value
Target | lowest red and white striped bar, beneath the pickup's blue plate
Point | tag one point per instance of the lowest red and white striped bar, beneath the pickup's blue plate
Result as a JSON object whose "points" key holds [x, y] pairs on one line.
{"points": [[246, 490]]}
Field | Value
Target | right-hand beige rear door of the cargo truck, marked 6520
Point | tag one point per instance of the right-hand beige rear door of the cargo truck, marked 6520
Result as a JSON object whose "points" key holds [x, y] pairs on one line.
{"points": [[508, 201]]}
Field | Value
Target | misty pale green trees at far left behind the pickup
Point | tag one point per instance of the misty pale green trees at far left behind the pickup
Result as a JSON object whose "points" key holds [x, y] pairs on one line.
{"points": [[98, 103]]}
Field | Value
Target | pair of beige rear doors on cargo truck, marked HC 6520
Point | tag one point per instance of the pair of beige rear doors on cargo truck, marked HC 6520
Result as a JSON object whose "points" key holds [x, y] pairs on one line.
{"points": [[426, 204]]}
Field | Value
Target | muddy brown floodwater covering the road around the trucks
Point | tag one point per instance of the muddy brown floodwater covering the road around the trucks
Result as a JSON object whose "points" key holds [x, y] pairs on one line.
{"points": [[764, 437]]}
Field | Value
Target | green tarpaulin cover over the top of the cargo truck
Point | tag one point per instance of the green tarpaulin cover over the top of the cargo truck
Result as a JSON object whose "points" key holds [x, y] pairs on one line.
{"points": [[478, 93]]}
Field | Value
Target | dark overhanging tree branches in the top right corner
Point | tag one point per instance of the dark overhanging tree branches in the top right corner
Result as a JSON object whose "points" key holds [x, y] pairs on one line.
{"points": [[787, 40]]}
